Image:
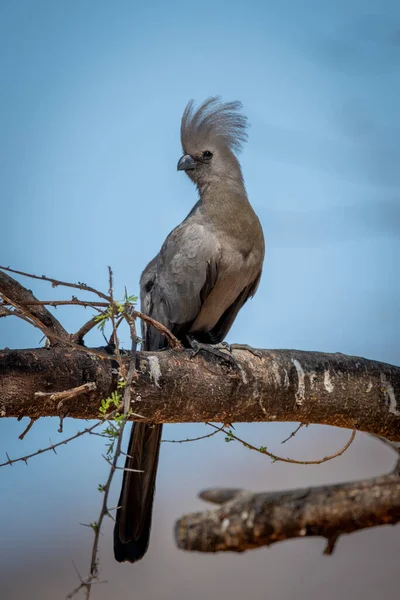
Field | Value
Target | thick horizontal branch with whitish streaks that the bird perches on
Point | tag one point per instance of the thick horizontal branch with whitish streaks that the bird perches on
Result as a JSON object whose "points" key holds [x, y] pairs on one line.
{"points": [[283, 385]]}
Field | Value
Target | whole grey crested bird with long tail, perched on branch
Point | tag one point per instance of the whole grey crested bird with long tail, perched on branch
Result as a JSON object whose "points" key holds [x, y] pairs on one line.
{"points": [[205, 271]]}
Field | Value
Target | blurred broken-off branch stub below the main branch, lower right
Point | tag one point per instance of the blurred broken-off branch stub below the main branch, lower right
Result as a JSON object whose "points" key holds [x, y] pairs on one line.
{"points": [[252, 520]]}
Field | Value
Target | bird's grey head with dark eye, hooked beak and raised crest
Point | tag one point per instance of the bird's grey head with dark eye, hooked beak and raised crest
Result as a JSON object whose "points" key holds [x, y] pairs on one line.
{"points": [[211, 136]]}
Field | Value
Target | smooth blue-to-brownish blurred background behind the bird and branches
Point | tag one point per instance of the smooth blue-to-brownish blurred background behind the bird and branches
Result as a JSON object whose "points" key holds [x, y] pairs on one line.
{"points": [[91, 96]]}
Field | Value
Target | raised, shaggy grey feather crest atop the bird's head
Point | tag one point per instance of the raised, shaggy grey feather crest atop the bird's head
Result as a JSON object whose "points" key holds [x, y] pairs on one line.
{"points": [[214, 121]]}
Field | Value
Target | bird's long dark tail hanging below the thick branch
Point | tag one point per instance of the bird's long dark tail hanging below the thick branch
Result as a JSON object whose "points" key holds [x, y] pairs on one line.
{"points": [[135, 506]]}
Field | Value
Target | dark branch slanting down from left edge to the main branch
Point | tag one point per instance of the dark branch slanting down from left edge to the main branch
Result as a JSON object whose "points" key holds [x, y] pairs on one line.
{"points": [[22, 297]]}
